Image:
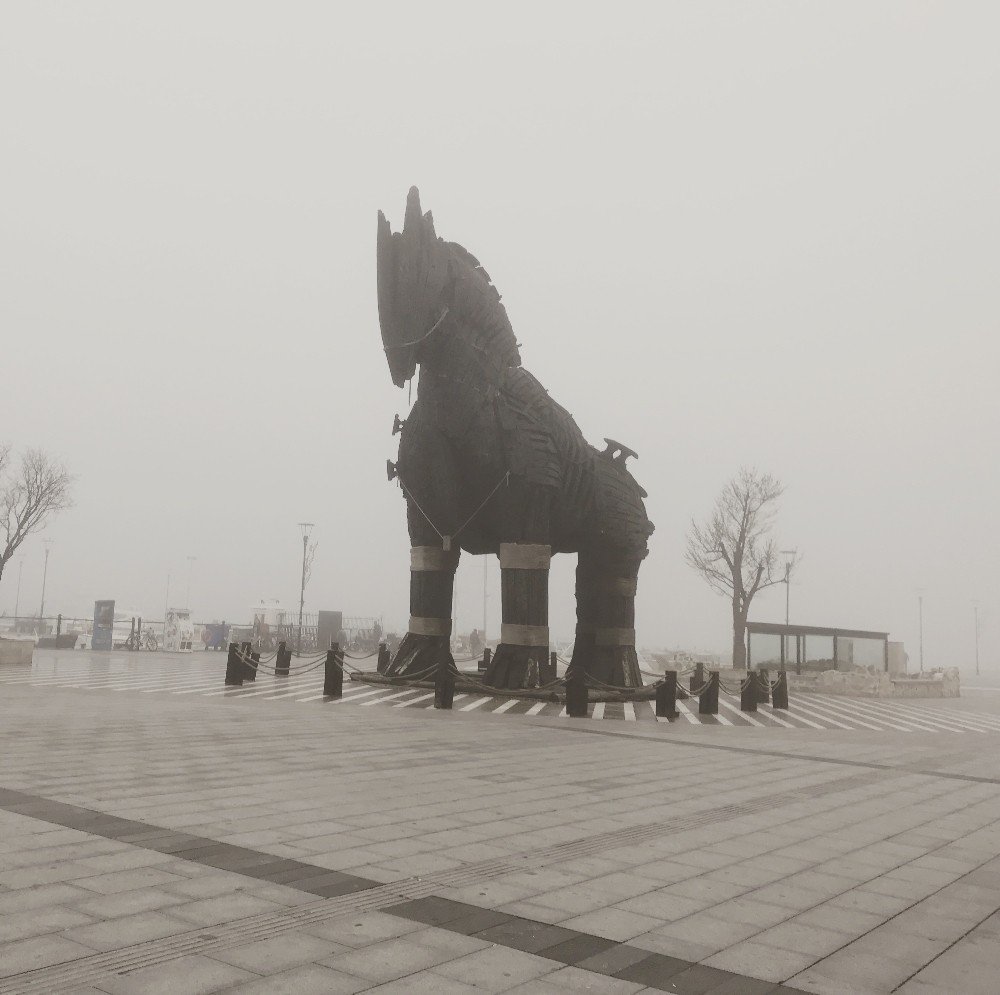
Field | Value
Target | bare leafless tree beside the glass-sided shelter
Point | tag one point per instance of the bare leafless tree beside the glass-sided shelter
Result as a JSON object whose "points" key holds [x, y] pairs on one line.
{"points": [[733, 549]]}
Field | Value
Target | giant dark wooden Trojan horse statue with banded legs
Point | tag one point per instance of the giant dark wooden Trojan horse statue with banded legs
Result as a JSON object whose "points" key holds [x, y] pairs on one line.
{"points": [[489, 463]]}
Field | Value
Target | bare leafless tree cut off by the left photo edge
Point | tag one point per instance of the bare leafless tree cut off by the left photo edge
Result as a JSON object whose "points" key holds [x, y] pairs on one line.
{"points": [[29, 495]]}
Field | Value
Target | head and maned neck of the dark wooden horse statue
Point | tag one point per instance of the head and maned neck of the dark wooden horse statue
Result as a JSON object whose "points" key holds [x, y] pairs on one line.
{"points": [[428, 288]]}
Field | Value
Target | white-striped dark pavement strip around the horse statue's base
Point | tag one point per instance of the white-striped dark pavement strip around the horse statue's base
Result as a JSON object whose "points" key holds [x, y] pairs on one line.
{"points": [[203, 678]]}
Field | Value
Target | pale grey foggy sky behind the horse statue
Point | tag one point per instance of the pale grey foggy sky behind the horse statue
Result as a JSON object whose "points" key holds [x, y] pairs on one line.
{"points": [[725, 234]]}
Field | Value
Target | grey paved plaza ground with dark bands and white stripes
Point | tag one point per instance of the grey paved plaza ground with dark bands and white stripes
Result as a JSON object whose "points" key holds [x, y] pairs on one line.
{"points": [[164, 834]]}
